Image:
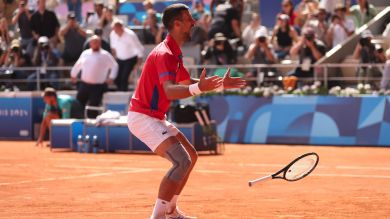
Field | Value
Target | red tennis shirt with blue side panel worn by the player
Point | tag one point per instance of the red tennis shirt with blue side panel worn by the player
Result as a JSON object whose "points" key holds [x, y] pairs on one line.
{"points": [[164, 63]]}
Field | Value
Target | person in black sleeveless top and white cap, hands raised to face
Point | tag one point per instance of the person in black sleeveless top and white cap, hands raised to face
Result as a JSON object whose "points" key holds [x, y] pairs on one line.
{"points": [[283, 36]]}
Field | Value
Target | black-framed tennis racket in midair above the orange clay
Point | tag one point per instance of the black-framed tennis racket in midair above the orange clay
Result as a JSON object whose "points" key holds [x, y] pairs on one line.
{"points": [[296, 170]]}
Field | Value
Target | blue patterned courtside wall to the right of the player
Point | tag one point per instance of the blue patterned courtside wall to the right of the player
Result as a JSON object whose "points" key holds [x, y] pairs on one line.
{"points": [[314, 120]]}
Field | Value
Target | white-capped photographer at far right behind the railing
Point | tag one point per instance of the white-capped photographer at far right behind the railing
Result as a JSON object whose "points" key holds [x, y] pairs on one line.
{"points": [[367, 52]]}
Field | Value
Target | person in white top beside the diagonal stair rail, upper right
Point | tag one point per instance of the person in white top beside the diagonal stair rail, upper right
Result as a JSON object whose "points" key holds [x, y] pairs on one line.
{"points": [[341, 27]]}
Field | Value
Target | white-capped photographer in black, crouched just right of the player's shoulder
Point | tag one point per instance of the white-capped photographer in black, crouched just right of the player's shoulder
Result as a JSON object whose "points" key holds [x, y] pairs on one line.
{"points": [[219, 52]]}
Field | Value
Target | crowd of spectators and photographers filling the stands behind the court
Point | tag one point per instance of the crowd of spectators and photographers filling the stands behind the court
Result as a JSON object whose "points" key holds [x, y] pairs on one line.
{"points": [[34, 36]]}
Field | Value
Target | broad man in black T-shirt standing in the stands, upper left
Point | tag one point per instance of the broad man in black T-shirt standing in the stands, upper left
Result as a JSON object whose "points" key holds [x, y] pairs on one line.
{"points": [[45, 23]]}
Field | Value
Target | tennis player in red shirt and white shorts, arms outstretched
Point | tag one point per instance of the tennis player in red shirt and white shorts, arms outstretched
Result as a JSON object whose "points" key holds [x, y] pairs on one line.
{"points": [[162, 80]]}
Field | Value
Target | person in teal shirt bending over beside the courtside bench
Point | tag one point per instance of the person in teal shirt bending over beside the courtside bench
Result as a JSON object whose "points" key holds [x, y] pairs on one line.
{"points": [[57, 107]]}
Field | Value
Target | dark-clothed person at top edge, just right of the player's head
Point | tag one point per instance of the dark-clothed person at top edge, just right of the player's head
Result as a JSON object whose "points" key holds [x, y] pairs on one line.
{"points": [[226, 20]]}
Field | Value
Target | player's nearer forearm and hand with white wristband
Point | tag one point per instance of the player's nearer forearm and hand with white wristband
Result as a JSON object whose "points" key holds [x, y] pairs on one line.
{"points": [[176, 91]]}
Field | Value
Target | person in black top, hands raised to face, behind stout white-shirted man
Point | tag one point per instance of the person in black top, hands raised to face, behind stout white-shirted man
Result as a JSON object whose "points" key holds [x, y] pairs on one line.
{"points": [[74, 37]]}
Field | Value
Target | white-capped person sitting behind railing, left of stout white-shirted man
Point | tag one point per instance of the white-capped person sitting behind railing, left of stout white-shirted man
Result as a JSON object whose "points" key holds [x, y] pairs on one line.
{"points": [[44, 57]]}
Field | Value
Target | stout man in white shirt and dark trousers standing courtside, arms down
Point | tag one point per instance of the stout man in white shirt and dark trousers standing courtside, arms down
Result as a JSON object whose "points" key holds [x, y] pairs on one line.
{"points": [[98, 69]]}
